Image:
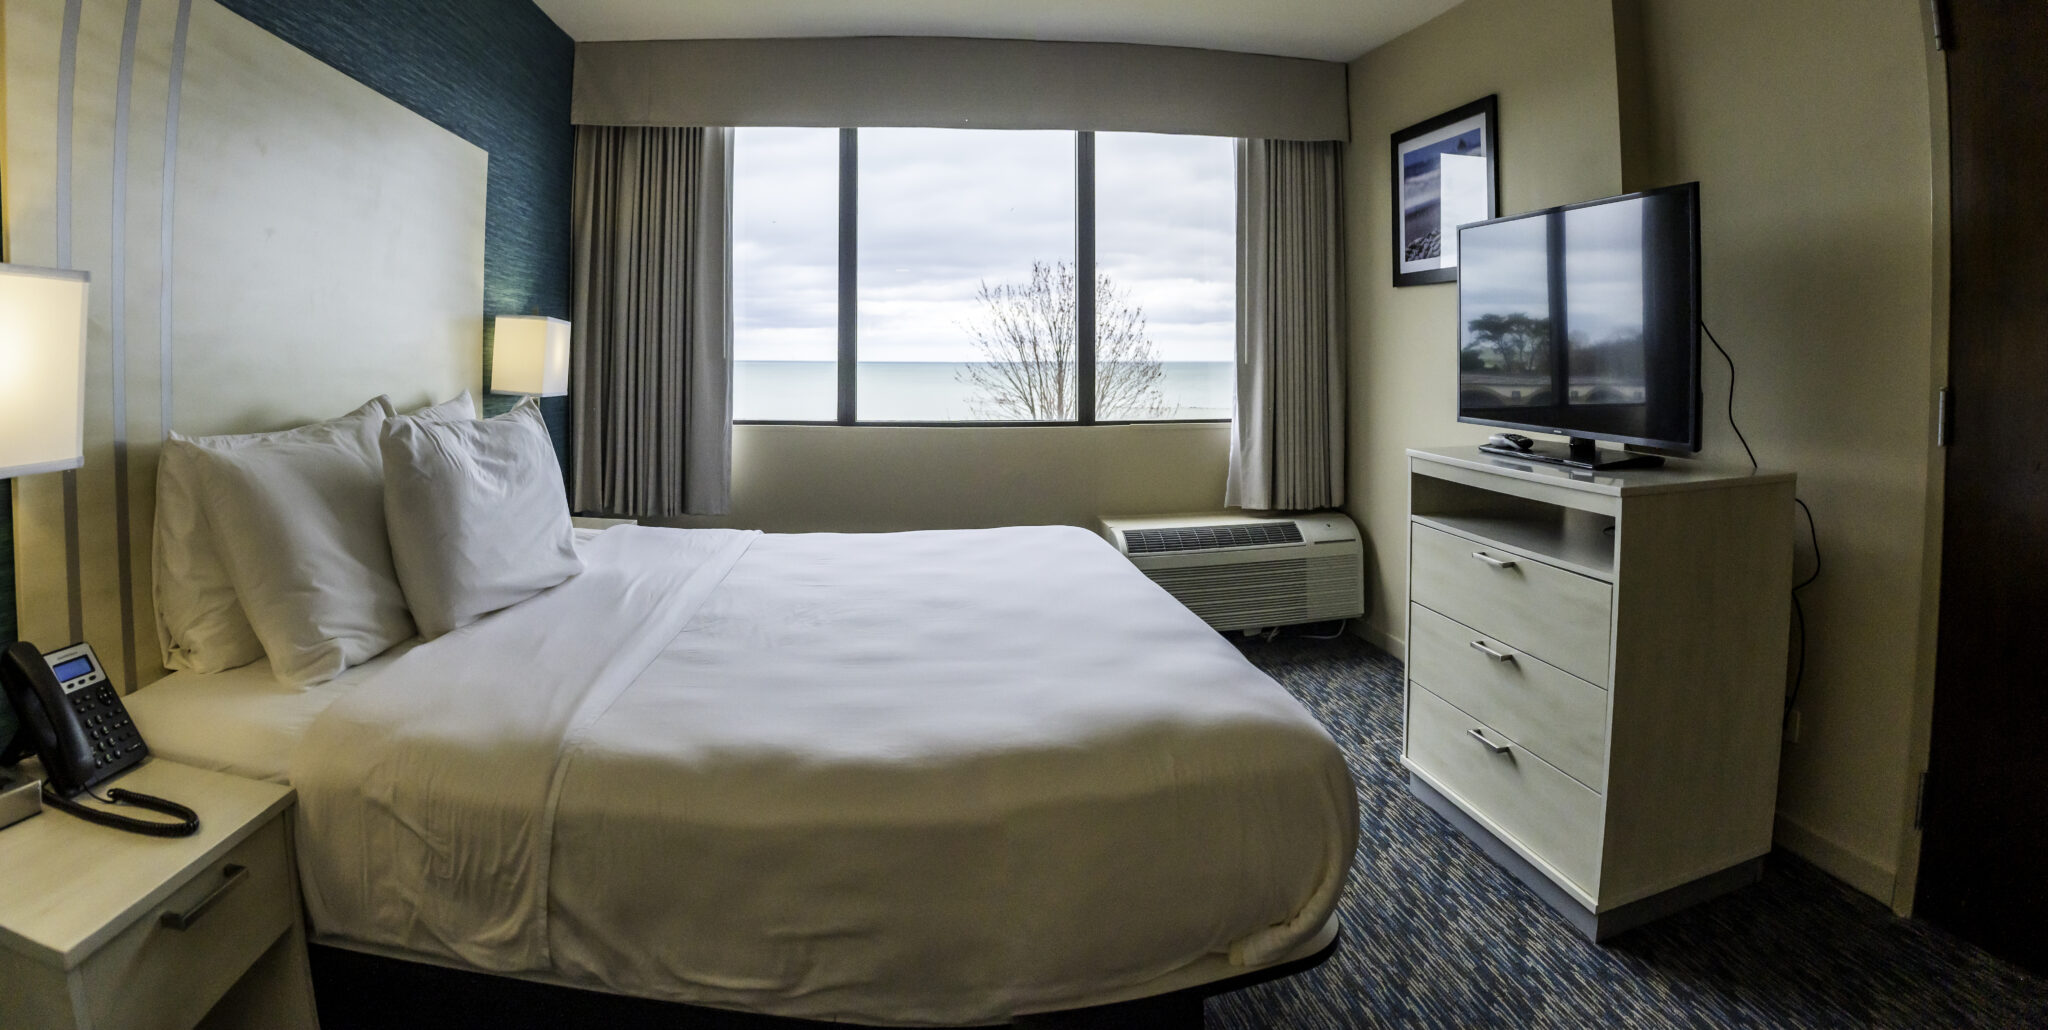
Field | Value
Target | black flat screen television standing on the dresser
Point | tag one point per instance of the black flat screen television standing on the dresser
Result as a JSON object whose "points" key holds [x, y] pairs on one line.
{"points": [[1584, 323]]}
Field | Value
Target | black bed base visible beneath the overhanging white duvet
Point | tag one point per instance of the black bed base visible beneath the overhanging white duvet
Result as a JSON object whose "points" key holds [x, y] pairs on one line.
{"points": [[359, 990]]}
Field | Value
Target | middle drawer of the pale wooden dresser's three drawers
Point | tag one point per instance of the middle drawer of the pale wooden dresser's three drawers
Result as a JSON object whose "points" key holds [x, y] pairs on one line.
{"points": [[1551, 712]]}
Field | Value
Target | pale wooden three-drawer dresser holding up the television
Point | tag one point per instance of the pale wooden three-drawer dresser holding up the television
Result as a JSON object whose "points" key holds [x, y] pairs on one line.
{"points": [[1596, 673]]}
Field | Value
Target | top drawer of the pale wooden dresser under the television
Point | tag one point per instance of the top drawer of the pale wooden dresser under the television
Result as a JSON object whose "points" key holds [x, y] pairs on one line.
{"points": [[1555, 615]]}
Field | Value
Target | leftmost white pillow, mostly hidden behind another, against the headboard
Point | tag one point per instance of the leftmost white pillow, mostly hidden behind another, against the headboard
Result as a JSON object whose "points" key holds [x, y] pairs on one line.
{"points": [[200, 621]]}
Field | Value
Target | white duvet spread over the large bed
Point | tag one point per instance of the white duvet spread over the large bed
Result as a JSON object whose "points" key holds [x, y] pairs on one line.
{"points": [[894, 779]]}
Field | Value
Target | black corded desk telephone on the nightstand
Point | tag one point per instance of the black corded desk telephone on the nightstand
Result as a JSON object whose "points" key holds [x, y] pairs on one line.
{"points": [[73, 718]]}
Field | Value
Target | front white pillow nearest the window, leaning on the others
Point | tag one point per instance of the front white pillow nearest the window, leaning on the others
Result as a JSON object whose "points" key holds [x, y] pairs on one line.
{"points": [[478, 515]]}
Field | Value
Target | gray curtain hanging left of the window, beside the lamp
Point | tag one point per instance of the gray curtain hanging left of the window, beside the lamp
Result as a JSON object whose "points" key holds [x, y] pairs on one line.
{"points": [[650, 366]]}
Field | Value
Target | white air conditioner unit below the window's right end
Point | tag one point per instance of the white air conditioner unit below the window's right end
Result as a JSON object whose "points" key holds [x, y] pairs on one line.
{"points": [[1248, 572]]}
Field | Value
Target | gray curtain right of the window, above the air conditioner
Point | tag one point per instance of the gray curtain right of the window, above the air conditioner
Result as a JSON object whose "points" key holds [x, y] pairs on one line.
{"points": [[1287, 435]]}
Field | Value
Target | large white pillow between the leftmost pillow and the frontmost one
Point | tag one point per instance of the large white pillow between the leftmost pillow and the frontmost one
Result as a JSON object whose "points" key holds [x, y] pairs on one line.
{"points": [[300, 525]]}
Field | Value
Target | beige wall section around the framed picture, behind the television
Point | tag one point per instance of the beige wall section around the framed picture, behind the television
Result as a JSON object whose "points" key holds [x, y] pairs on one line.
{"points": [[1551, 62]]}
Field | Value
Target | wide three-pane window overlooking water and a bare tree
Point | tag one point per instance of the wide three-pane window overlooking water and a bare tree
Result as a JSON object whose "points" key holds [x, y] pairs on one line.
{"points": [[949, 288]]}
